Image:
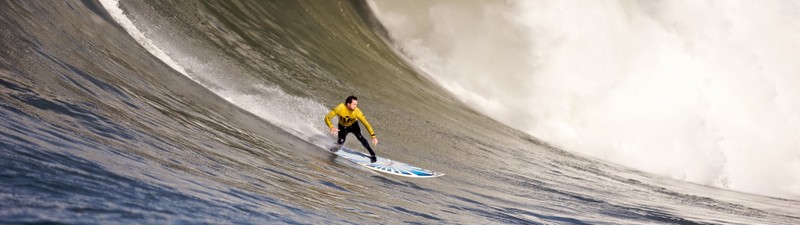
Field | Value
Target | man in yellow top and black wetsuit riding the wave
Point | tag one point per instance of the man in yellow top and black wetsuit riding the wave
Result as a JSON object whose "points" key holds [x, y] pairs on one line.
{"points": [[349, 115]]}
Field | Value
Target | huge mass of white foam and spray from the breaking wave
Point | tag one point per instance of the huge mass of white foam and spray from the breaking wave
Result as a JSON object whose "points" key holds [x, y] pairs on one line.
{"points": [[702, 91]]}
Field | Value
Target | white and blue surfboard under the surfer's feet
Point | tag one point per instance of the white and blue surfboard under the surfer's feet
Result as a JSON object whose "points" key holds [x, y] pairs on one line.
{"points": [[385, 165]]}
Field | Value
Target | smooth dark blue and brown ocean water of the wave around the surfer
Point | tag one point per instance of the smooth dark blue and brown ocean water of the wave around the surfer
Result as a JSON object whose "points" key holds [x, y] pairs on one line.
{"points": [[210, 112]]}
